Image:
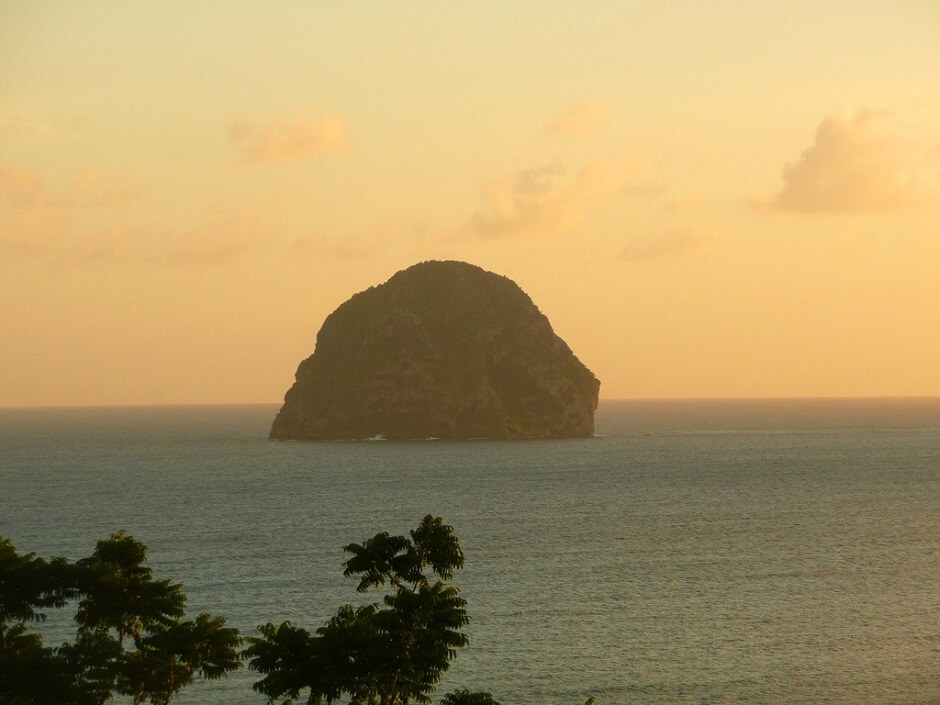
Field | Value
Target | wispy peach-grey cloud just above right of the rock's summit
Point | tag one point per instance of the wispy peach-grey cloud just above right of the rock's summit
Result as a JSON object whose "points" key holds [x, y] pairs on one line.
{"points": [[545, 199]]}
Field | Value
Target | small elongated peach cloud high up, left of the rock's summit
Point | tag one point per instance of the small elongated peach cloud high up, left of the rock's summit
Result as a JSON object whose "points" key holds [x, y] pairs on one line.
{"points": [[287, 139]]}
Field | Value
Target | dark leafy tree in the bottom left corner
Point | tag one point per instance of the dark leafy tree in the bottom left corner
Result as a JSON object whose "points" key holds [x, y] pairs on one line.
{"points": [[130, 638]]}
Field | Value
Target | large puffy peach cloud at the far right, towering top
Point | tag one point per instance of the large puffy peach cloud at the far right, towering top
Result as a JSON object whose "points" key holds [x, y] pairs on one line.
{"points": [[858, 162]]}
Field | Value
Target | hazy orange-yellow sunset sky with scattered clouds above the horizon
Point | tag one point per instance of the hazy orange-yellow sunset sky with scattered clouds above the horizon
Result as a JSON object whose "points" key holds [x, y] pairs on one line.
{"points": [[707, 199]]}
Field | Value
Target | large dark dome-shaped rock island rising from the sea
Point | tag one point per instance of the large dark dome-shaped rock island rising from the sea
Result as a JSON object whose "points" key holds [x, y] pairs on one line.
{"points": [[440, 350]]}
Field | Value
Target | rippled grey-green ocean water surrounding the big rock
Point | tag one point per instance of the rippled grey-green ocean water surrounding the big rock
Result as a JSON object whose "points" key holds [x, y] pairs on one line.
{"points": [[694, 552]]}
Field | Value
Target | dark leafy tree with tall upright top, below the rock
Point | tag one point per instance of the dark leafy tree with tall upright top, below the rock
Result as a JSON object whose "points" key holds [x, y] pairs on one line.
{"points": [[388, 654]]}
